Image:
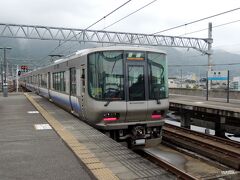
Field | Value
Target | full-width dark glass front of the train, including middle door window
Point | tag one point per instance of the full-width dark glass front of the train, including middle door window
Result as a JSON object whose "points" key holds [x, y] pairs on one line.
{"points": [[145, 76]]}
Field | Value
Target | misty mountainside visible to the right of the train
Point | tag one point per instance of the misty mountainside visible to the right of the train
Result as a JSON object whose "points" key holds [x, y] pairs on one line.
{"points": [[188, 61]]}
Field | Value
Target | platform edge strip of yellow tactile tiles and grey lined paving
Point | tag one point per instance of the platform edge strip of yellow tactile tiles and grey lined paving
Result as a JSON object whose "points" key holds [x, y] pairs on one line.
{"points": [[106, 158]]}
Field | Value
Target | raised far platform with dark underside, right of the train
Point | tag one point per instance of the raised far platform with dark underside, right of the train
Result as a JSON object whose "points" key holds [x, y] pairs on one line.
{"points": [[214, 114]]}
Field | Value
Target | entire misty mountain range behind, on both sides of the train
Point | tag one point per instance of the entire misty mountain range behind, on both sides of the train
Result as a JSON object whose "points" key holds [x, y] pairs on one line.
{"points": [[181, 61]]}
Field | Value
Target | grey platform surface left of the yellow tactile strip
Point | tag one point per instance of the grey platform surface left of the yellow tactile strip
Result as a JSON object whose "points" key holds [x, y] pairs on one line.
{"points": [[30, 154]]}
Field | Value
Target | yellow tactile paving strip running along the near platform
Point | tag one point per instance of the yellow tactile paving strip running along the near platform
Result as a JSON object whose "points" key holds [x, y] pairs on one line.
{"points": [[89, 159]]}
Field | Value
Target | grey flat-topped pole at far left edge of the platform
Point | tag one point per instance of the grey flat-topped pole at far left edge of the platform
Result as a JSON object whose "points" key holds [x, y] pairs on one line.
{"points": [[5, 84]]}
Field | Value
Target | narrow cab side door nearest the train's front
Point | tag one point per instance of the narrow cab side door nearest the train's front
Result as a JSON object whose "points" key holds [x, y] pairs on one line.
{"points": [[82, 91]]}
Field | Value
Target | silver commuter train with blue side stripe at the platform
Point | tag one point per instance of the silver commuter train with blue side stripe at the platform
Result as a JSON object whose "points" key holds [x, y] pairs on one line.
{"points": [[119, 90]]}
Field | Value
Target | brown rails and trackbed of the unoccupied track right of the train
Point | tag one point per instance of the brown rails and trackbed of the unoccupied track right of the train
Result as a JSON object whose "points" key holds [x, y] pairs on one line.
{"points": [[224, 154]]}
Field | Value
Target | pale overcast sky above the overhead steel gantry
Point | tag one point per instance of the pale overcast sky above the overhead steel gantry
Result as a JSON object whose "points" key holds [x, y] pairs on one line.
{"points": [[160, 15]]}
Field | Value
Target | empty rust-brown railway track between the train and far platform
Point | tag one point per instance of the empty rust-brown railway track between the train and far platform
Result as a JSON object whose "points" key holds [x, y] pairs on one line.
{"points": [[222, 150]]}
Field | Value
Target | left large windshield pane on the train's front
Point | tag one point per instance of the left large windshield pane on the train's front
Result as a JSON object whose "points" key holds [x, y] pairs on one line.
{"points": [[106, 75]]}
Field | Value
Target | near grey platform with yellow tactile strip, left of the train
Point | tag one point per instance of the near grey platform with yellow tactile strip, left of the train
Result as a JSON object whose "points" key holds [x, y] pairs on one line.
{"points": [[41, 141]]}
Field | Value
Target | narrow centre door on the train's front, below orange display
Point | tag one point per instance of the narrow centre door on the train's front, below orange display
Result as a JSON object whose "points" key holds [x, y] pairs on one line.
{"points": [[136, 71]]}
